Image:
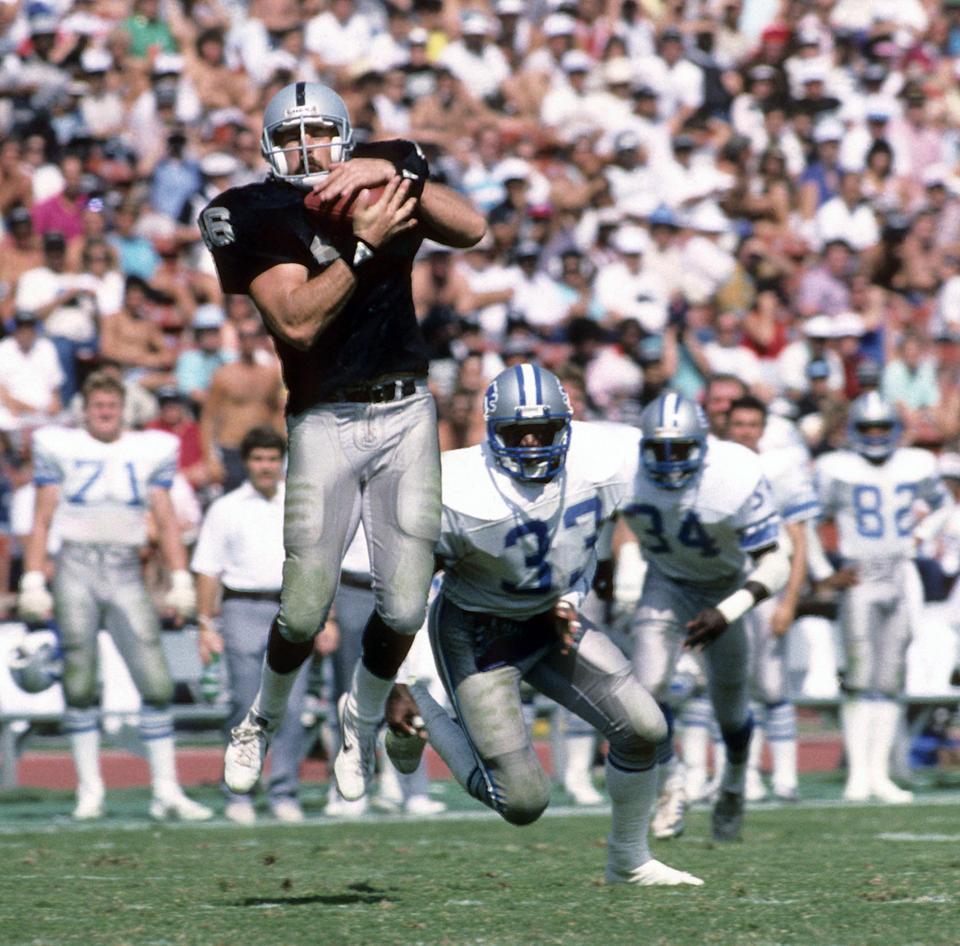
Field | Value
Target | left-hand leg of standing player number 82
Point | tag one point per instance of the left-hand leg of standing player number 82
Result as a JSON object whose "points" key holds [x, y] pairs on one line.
{"points": [[857, 612]]}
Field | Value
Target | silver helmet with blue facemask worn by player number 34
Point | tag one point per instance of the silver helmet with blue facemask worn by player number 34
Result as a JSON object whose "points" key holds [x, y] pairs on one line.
{"points": [[674, 442]]}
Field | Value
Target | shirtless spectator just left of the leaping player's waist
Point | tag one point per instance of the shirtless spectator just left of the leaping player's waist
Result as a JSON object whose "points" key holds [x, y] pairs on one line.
{"points": [[243, 394]]}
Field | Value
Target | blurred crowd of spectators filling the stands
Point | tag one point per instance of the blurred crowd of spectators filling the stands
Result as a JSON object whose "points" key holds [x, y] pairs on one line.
{"points": [[673, 190]]}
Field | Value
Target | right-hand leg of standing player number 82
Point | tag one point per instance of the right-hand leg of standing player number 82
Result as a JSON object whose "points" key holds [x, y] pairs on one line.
{"points": [[889, 640]]}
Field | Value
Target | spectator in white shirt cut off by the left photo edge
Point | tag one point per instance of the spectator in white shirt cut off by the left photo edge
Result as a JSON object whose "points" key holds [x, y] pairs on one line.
{"points": [[30, 376]]}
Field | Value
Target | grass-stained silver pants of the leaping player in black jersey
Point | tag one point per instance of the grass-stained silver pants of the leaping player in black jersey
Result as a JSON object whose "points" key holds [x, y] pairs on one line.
{"points": [[347, 462]]}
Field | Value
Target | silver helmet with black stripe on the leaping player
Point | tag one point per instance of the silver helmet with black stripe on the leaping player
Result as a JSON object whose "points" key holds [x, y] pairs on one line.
{"points": [[299, 106]]}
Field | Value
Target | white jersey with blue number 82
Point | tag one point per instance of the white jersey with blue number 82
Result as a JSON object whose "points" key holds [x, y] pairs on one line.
{"points": [[875, 504]]}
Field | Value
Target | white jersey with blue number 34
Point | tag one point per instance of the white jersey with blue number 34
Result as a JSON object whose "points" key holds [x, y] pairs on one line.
{"points": [[703, 533]]}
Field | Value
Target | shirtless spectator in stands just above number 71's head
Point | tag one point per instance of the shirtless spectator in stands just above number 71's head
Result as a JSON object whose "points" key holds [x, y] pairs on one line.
{"points": [[133, 339]]}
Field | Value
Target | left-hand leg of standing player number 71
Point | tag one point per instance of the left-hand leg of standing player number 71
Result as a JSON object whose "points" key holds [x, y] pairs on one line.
{"points": [[77, 611]]}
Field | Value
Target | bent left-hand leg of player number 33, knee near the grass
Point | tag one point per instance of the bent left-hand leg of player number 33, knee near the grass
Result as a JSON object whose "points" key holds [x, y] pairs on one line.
{"points": [[487, 747]]}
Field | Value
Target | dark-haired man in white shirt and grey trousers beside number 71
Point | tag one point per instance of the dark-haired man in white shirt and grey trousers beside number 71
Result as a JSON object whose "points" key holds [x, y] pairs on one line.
{"points": [[238, 560]]}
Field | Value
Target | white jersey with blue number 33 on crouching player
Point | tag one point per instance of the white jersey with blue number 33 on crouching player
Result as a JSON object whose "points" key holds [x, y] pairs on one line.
{"points": [[512, 548]]}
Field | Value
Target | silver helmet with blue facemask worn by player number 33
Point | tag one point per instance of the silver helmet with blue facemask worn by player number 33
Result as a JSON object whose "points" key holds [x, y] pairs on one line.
{"points": [[528, 399]]}
